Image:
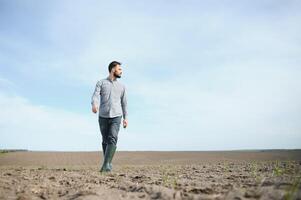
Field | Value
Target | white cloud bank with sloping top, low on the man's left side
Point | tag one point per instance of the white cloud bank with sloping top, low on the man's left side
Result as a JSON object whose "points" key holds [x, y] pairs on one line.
{"points": [[38, 127]]}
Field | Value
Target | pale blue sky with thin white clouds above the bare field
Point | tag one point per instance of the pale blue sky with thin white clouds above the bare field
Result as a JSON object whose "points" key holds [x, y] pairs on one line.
{"points": [[200, 75]]}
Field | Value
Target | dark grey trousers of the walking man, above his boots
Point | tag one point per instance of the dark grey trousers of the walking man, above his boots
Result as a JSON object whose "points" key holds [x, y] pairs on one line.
{"points": [[109, 128]]}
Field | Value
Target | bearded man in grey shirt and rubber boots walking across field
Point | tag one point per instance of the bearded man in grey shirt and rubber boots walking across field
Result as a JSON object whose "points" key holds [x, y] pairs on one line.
{"points": [[109, 98]]}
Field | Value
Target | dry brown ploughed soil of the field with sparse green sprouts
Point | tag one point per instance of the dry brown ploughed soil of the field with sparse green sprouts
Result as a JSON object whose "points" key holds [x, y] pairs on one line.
{"points": [[152, 175]]}
